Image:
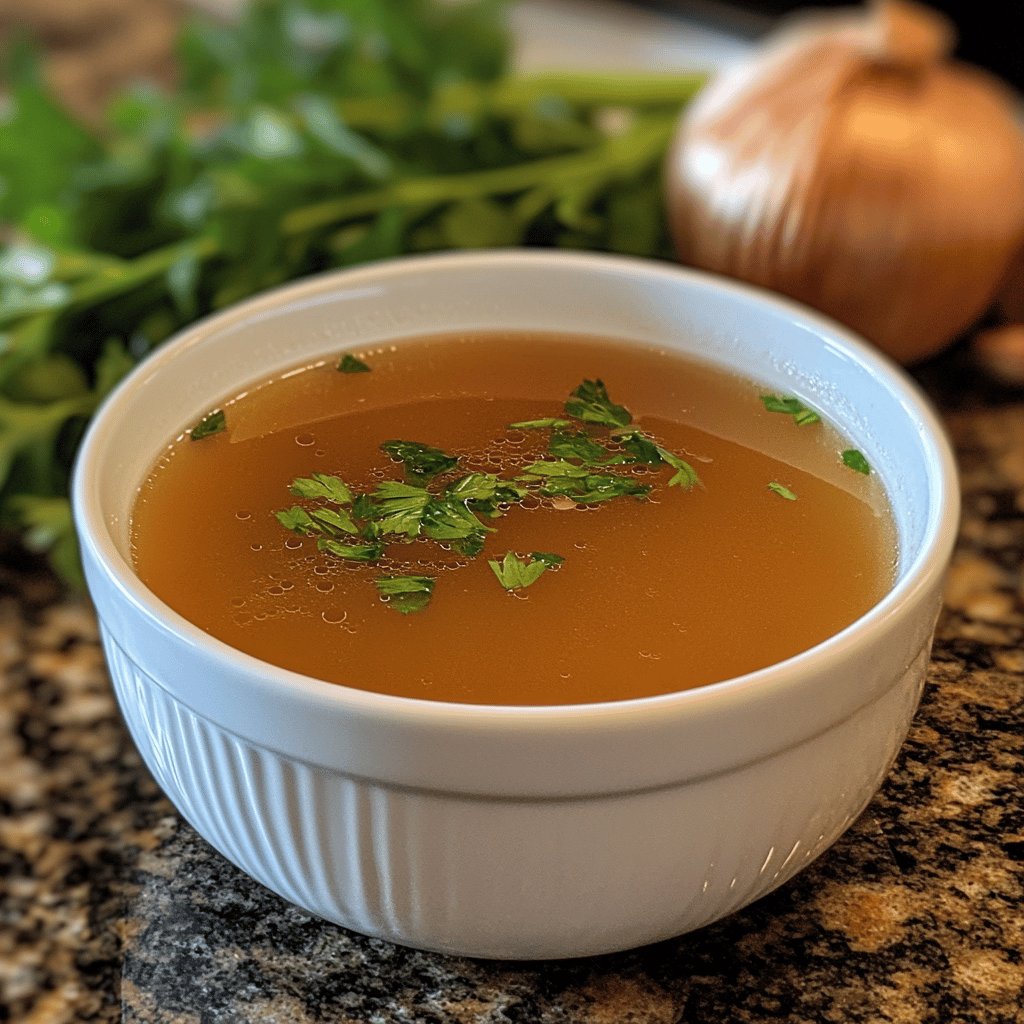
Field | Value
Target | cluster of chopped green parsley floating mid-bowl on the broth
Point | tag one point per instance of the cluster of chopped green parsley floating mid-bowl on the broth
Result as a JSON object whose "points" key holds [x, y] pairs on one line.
{"points": [[587, 459]]}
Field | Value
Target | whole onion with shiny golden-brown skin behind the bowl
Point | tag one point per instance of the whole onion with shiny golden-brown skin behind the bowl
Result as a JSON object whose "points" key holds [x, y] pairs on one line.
{"points": [[851, 165]]}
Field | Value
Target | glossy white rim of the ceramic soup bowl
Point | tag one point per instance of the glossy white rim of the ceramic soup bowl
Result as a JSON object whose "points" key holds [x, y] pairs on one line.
{"points": [[920, 578]]}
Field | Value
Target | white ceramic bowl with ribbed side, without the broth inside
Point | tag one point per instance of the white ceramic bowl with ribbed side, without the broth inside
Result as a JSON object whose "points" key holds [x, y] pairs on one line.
{"points": [[520, 832]]}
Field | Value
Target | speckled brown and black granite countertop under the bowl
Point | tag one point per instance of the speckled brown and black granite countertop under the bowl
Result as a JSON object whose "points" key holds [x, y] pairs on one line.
{"points": [[114, 910]]}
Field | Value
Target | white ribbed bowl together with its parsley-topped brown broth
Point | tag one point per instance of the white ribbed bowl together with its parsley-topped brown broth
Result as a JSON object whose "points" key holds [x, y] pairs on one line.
{"points": [[518, 605]]}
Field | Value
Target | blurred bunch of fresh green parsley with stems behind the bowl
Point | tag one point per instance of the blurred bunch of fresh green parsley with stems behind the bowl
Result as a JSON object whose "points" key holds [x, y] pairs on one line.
{"points": [[313, 135]]}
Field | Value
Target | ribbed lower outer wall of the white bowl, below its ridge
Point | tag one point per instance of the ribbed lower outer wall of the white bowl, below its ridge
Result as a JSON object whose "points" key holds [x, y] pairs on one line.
{"points": [[504, 877]]}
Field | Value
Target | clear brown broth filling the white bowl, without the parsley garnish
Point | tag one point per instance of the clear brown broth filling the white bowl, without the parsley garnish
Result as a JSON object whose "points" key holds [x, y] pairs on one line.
{"points": [[678, 591]]}
